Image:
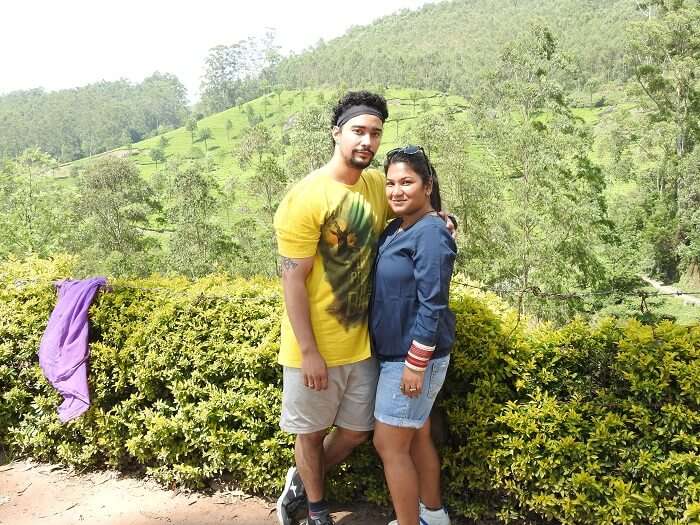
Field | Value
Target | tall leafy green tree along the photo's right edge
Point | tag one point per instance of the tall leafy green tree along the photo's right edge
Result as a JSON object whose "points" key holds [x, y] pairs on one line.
{"points": [[664, 51]]}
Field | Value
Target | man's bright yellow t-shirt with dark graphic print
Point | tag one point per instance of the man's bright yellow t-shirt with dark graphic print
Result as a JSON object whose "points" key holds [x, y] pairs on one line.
{"points": [[339, 225]]}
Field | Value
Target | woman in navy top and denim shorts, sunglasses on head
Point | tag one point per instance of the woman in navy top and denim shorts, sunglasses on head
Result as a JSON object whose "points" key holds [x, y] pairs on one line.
{"points": [[412, 332]]}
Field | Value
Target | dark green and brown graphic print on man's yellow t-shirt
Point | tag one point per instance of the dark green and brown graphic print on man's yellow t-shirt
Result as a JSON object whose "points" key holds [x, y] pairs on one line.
{"points": [[347, 247]]}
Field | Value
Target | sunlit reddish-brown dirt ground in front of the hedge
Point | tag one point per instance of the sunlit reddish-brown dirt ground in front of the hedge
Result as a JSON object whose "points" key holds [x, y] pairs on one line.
{"points": [[41, 494]]}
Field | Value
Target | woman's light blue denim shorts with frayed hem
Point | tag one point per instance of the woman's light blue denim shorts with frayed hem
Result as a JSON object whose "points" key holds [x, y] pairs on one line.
{"points": [[393, 407]]}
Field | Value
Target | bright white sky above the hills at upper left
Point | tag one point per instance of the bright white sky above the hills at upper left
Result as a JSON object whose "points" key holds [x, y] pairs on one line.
{"points": [[57, 44]]}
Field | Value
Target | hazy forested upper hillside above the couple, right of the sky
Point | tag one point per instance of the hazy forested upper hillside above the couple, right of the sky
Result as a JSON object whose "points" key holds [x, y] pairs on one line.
{"points": [[447, 46]]}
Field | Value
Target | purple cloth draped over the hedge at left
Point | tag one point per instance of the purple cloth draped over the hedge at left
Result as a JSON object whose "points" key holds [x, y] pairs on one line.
{"points": [[63, 352]]}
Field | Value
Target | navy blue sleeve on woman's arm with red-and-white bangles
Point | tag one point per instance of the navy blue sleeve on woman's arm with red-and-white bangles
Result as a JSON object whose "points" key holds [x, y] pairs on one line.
{"points": [[433, 260]]}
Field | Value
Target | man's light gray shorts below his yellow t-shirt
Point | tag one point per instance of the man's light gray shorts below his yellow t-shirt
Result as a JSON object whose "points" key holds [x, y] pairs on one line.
{"points": [[348, 402]]}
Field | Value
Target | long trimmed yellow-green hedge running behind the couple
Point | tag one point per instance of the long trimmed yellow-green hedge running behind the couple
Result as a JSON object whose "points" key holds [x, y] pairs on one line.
{"points": [[584, 424]]}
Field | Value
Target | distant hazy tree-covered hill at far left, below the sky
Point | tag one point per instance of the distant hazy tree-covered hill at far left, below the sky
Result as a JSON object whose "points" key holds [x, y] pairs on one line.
{"points": [[74, 123]]}
